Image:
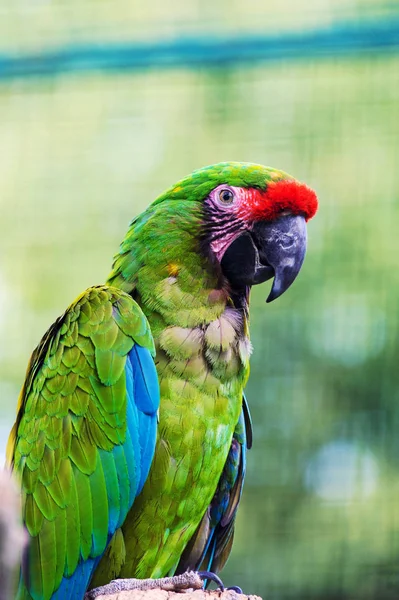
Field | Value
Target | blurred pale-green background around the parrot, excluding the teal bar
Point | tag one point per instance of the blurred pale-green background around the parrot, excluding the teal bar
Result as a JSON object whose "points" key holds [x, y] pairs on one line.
{"points": [[82, 153]]}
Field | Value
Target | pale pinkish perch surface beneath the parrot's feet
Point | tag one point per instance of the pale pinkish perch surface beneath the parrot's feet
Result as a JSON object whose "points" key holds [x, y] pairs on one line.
{"points": [[157, 594]]}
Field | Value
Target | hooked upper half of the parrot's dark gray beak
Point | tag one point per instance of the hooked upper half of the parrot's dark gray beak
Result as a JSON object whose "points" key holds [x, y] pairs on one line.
{"points": [[281, 245]]}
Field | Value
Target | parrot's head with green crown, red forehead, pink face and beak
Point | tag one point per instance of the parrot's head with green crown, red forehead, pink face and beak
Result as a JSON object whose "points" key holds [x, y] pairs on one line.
{"points": [[253, 221]]}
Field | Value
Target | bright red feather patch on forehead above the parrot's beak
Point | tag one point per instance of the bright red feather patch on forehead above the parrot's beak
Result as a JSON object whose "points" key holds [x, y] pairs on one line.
{"points": [[292, 196]]}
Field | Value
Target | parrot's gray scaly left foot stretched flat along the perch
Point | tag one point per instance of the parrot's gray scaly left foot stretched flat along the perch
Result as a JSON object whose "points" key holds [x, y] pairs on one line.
{"points": [[189, 579]]}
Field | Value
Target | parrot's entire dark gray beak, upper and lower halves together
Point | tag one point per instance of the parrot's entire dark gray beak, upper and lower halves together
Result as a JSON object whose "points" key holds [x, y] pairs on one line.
{"points": [[272, 249]]}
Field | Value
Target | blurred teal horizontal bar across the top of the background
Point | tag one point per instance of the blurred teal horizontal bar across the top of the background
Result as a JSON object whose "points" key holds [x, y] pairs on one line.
{"points": [[207, 51]]}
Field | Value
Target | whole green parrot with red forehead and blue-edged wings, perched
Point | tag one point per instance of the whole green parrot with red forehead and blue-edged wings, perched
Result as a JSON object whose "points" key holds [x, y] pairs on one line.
{"points": [[132, 425]]}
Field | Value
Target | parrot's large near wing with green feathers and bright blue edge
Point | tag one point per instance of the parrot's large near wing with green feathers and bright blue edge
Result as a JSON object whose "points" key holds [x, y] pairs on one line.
{"points": [[84, 438]]}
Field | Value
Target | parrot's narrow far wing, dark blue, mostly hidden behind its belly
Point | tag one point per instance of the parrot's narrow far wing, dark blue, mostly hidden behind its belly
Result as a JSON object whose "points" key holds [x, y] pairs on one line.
{"points": [[210, 546]]}
